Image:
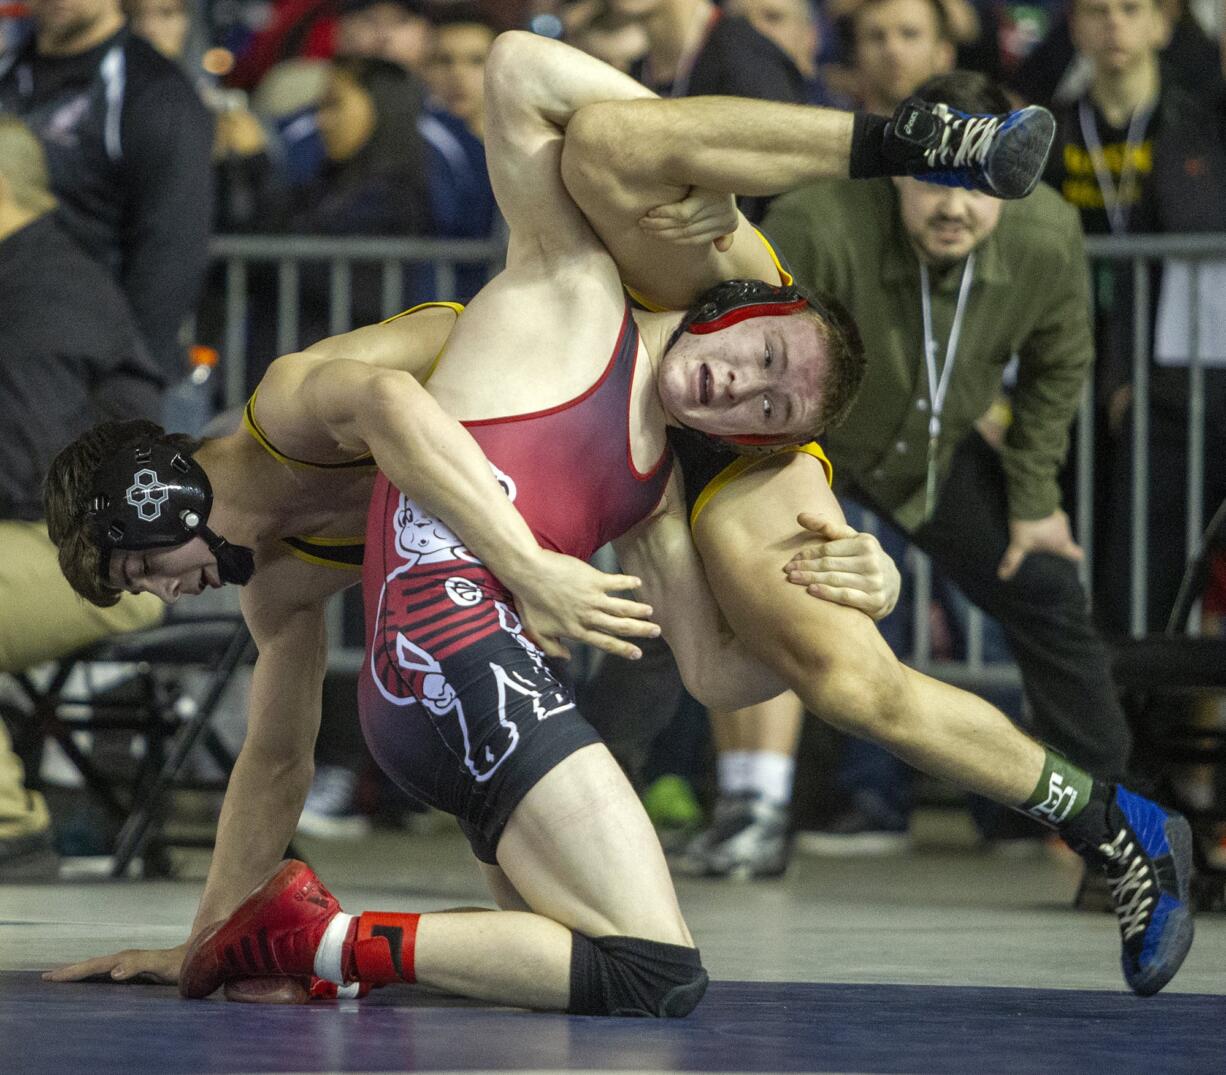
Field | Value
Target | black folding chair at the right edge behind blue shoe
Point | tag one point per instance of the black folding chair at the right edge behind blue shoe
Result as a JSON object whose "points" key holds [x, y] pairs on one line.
{"points": [[1160, 678]]}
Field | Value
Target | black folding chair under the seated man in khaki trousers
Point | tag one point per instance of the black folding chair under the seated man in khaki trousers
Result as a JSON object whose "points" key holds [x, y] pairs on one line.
{"points": [[182, 671]]}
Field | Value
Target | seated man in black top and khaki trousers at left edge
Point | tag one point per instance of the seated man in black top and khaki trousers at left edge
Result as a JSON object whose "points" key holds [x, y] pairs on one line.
{"points": [[69, 357]]}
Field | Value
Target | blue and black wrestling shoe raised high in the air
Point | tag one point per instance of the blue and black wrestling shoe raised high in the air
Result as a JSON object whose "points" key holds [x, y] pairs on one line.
{"points": [[1000, 155]]}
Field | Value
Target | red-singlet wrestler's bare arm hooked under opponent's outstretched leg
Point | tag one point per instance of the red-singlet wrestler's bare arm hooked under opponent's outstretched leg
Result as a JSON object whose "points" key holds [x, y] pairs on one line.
{"points": [[719, 671]]}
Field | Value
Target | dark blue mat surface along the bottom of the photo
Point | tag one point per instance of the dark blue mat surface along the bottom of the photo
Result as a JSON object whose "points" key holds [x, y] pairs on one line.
{"points": [[741, 1027]]}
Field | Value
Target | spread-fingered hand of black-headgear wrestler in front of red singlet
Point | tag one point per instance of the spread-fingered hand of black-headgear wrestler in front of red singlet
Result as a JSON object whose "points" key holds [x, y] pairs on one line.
{"points": [[568, 599]]}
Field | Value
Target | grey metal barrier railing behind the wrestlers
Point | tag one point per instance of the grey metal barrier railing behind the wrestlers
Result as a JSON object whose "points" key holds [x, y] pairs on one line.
{"points": [[237, 253]]}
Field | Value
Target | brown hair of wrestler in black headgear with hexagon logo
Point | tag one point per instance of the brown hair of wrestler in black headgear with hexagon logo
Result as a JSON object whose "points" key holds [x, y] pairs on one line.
{"points": [[68, 493]]}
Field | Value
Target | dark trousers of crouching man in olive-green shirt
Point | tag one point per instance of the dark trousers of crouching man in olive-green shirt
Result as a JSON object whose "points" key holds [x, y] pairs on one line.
{"points": [[1043, 611]]}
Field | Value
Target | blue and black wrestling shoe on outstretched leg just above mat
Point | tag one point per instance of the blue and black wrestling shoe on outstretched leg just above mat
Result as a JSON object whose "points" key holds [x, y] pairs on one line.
{"points": [[1148, 862]]}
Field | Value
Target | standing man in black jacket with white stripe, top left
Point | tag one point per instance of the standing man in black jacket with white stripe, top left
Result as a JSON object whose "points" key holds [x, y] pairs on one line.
{"points": [[129, 146]]}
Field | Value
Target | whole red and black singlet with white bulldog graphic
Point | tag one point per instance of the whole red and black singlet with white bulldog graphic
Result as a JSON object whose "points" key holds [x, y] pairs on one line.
{"points": [[454, 697]]}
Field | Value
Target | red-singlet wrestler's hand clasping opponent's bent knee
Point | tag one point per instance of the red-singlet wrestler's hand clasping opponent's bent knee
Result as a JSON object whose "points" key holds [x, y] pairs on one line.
{"points": [[847, 567]]}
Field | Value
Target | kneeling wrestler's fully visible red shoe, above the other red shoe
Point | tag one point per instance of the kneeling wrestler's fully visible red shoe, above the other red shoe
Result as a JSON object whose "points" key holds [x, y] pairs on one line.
{"points": [[274, 933]]}
